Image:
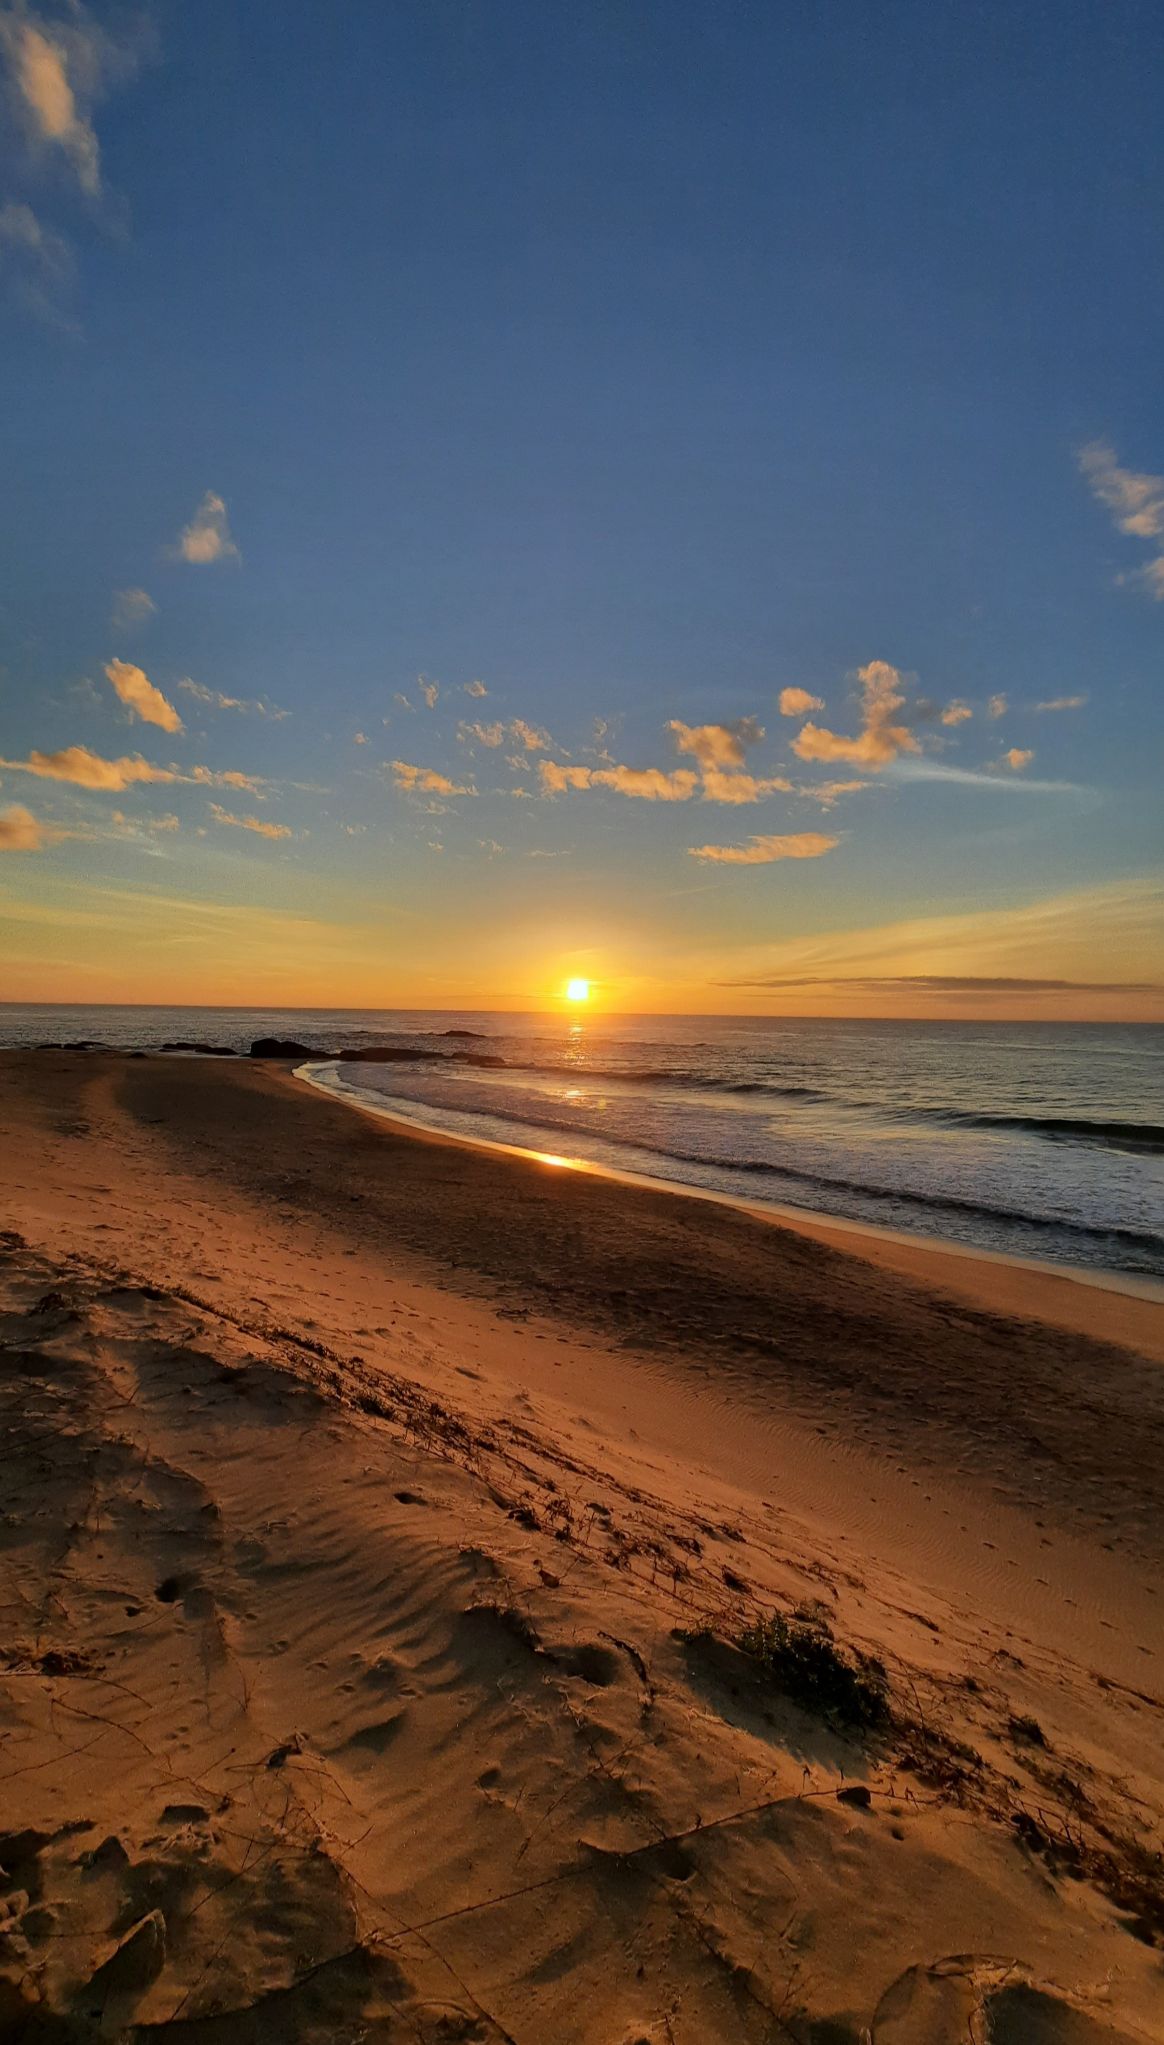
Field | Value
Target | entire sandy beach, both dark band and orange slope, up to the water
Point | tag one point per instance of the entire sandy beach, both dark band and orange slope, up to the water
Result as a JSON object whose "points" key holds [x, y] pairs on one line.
{"points": [[384, 1531]]}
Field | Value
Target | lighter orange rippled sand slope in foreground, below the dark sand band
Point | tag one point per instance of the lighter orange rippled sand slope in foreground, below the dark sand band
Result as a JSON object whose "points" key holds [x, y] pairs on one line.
{"points": [[363, 1678]]}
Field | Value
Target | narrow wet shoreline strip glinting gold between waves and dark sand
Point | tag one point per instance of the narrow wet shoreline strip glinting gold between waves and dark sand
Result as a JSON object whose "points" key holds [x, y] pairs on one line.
{"points": [[807, 1222]]}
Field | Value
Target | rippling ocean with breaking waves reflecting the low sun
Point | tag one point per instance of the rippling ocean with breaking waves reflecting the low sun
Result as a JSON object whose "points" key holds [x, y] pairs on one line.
{"points": [[1040, 1140]]}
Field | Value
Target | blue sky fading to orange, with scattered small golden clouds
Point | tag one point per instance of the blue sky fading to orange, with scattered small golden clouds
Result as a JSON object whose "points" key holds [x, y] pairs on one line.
{"points": [[512, 492]]}
